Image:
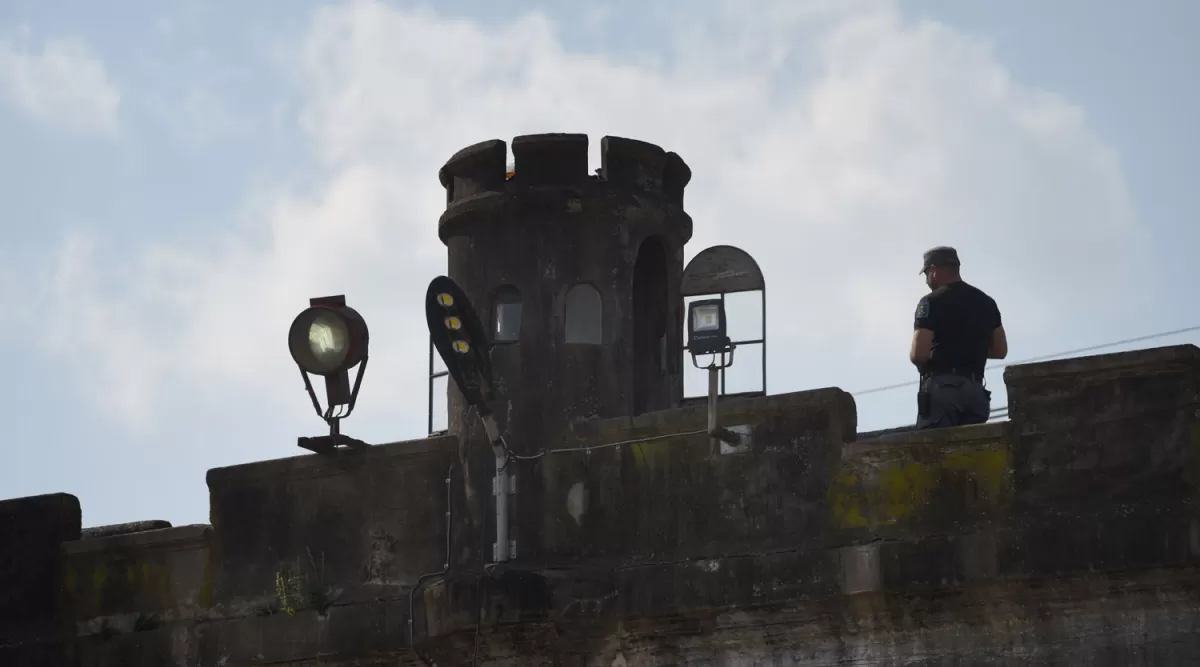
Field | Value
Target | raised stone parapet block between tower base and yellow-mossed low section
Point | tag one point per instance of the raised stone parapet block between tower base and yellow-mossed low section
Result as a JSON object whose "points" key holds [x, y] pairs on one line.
{"points": [[657, 488]]}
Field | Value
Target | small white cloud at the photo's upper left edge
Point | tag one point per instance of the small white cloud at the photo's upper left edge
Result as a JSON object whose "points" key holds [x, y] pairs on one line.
{"points": [[63, 83]]}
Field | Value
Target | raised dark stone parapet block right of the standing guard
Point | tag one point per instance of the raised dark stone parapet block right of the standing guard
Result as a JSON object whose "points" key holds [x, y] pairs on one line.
{"points": [[1107, 432]]}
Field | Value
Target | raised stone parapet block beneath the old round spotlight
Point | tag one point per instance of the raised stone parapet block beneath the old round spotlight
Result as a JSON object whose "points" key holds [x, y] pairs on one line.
{"points": [[344, 527]]}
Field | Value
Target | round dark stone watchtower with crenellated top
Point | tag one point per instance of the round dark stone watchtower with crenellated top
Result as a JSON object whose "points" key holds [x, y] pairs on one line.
{"points": [[575, 275]]}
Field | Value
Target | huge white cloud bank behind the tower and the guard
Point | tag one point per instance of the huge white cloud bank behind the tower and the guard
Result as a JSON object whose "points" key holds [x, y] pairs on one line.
{"points": [[837, 165]]}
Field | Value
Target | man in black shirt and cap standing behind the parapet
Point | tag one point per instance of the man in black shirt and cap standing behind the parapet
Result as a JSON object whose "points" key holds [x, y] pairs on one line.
{"points": [[957, 331]]}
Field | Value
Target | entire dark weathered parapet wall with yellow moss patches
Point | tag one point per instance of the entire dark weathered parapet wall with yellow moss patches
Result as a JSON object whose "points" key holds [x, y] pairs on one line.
{"points": [[1069, 536]]}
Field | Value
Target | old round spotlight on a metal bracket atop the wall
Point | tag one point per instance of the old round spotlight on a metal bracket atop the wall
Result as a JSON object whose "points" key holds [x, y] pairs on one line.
{"points": [[328, 339]]}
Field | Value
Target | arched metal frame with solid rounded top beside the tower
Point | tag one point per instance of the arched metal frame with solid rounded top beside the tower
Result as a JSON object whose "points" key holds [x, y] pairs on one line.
{"points": [[722, 271]]}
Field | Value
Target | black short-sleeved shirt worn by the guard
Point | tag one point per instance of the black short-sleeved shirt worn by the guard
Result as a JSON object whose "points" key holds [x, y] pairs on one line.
{"points": [[962, 319]]}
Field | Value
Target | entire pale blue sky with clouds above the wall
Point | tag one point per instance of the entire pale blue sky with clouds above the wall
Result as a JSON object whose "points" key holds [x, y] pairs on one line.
{"points": [[178, 179]]}
